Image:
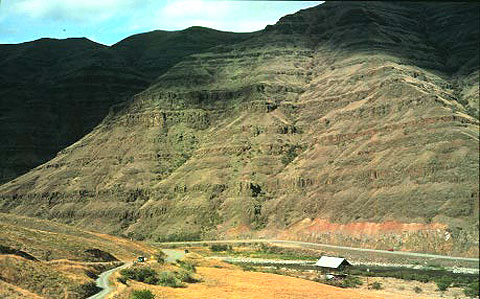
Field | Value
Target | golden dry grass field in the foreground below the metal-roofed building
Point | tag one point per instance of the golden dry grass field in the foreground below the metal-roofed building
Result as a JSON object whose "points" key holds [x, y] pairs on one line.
{"points": [[221, 280]]}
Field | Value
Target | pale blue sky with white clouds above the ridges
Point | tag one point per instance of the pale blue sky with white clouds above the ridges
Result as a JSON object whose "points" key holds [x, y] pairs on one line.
{"points": [[109, 21]]}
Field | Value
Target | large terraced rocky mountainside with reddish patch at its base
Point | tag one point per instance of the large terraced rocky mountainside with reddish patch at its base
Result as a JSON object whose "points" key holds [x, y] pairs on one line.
{"points": [[349, 123]]}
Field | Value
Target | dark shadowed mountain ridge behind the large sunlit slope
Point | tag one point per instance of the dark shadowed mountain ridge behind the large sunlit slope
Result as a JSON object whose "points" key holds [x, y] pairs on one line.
{"points": [[53, 92]]}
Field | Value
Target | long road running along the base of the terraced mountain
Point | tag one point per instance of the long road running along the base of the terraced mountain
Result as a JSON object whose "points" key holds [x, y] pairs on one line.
{"points": [[402, 253]]}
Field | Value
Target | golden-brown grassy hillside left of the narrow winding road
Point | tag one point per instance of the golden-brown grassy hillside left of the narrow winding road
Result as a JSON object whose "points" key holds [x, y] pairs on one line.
{"points": [[42, 259]]}
